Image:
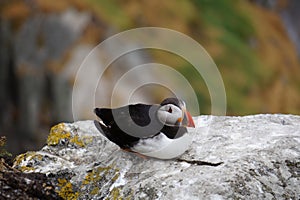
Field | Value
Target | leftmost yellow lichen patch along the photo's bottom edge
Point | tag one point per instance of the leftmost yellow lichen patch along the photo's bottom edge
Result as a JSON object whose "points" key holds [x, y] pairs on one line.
{"points": [[66, 190]]}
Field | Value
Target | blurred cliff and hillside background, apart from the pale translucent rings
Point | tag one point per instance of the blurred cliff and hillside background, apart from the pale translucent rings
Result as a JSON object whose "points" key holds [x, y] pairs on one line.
{"points": [[255, 44]]}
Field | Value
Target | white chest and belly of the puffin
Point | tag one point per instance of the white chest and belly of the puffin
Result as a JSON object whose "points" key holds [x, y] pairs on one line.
{"points": [[162, 147]]}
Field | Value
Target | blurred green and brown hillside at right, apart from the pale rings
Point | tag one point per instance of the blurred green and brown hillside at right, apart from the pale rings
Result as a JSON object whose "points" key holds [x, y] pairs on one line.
{"points": [[245, 41]]}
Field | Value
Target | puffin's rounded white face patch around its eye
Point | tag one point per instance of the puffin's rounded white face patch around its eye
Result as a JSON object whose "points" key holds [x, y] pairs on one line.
{"points": [[170, 114]]}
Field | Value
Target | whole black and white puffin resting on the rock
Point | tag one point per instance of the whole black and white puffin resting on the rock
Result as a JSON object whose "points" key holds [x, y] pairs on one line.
{"points": [[157, 130]]}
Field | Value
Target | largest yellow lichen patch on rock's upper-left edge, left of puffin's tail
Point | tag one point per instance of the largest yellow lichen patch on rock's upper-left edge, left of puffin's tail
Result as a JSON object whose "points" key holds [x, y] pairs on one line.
{"points": [[57, 133]]}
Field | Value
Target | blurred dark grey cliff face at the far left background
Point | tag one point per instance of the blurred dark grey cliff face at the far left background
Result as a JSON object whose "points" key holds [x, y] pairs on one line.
{"points": [[34, 93]]}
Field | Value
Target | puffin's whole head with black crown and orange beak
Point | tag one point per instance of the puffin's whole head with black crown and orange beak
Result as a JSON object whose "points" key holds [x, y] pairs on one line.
{"points": [[173, 111]]}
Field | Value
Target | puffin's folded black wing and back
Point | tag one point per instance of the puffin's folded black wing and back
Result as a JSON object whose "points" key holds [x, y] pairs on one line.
{"points": [[126, 125]]}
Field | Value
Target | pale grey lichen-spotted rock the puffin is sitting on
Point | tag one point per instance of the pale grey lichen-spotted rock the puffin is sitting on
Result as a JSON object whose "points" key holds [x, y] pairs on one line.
{"points": [[251, 157]]}
